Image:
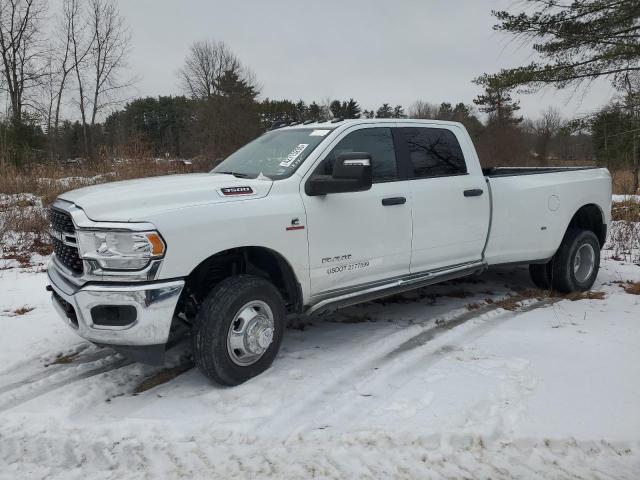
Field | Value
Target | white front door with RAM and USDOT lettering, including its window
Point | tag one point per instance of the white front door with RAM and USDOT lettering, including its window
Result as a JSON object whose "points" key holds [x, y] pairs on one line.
{"points": [[357, 238]]}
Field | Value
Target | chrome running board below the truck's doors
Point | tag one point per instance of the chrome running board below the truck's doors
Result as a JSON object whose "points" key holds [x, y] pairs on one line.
{"points": [[392, 288]]}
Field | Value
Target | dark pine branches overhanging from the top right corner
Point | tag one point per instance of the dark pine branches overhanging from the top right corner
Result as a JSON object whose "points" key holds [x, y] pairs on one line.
{"points": [[577, 41]]}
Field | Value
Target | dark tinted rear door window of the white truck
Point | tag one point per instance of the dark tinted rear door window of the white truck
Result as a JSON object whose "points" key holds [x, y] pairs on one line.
{"points": [[433, 152]]}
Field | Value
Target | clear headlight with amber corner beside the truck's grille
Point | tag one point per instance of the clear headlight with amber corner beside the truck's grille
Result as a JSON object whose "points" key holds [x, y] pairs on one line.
{"points": [[120, 250]]}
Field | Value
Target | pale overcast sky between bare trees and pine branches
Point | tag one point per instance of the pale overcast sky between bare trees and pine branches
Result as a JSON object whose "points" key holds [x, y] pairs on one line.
{"points": [[372, 50]]}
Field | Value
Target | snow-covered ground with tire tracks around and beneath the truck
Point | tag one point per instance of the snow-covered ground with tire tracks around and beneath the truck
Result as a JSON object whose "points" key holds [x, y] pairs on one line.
{"points": [[438, 383]]}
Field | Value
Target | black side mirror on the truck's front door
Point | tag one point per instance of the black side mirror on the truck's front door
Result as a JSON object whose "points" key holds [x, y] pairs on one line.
{"points": [[352, 172]]}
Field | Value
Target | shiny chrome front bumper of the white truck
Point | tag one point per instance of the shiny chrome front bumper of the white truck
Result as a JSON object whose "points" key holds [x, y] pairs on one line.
{"points": [[154, 302]]}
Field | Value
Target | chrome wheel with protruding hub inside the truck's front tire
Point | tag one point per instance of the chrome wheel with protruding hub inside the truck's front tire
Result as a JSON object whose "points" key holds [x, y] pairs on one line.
{"points": [[250, 333]]}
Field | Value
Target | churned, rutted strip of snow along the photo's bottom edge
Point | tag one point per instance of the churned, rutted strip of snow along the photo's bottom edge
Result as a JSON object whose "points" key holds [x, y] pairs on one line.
{"points": [[76, 453]]}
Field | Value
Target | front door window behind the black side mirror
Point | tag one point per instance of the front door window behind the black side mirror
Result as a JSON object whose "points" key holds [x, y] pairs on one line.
{"points": [[376, 141]]}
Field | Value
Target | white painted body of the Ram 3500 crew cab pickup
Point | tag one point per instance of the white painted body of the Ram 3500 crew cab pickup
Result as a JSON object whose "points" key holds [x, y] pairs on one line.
{"points": [[341, 248]]}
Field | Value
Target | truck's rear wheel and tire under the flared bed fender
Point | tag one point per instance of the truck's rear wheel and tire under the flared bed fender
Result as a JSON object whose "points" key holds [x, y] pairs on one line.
{"points": [[577, 262]]}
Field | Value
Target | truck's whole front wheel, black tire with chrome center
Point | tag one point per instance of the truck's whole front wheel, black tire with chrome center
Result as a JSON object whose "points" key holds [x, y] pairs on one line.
{"points": [[238, 329]]}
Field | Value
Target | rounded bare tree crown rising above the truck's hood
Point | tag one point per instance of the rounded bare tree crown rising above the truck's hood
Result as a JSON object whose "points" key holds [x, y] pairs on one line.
{"points": [[206, 62]]}
